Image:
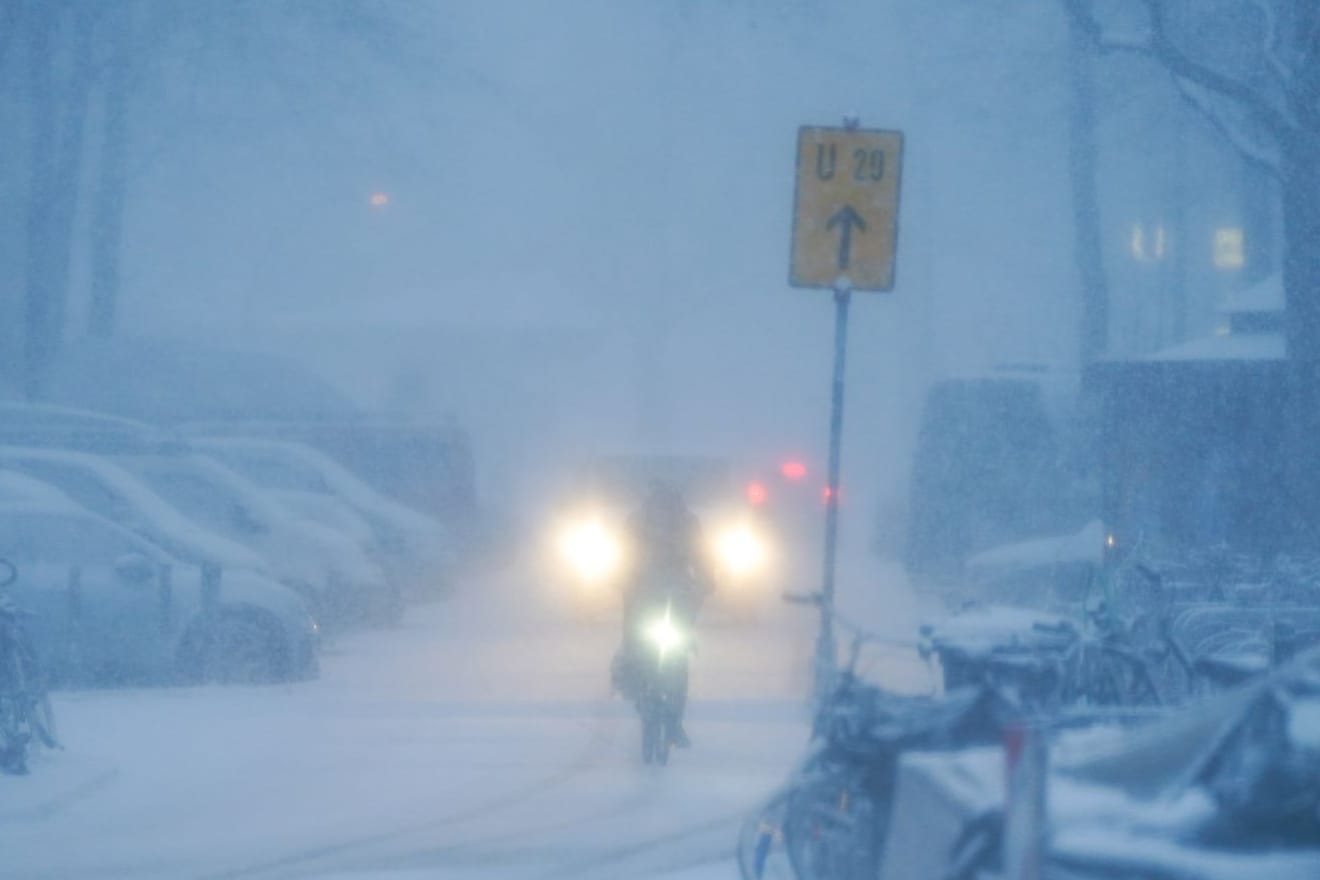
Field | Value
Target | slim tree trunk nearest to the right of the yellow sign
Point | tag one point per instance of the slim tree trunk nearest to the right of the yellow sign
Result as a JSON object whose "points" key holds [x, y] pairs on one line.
{"points": [[1088, 238]]}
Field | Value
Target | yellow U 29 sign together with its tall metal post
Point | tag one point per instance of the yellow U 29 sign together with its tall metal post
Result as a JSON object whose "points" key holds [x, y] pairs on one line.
{"points": [[845, 237]]}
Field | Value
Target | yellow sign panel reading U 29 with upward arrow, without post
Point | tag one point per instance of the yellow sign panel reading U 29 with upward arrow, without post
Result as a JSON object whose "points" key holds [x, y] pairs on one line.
{"points": [[845, 214]]}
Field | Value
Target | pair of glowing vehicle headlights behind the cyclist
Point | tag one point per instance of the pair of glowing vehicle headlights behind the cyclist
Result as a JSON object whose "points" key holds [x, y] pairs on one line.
{"points": [[595, 552]]}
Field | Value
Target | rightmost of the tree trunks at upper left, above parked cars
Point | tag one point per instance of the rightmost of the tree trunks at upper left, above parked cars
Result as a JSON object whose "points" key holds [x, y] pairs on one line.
{"points": [[108, 221]]}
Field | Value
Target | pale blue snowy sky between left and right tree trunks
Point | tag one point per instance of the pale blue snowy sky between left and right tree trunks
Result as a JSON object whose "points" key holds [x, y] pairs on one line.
{"points": [[625, 172]]}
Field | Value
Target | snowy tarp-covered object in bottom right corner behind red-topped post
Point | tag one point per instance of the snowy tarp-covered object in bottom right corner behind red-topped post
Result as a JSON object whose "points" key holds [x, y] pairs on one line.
{"points": [[1228, 788]]}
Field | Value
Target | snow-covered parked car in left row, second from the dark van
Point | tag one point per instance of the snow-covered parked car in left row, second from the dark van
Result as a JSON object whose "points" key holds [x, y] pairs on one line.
{"points": [[333, 573]]}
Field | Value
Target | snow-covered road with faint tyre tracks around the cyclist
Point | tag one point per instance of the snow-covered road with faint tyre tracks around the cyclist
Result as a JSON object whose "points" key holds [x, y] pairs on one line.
{"points": [[478, 739]]}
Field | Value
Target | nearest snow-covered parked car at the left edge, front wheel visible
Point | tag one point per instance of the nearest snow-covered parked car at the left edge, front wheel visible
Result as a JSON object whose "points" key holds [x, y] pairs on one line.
{"points": [[109, 606]]}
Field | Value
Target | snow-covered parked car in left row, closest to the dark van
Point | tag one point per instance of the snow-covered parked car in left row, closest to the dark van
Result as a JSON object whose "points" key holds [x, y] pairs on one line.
{"points": [[416, 550]]}
